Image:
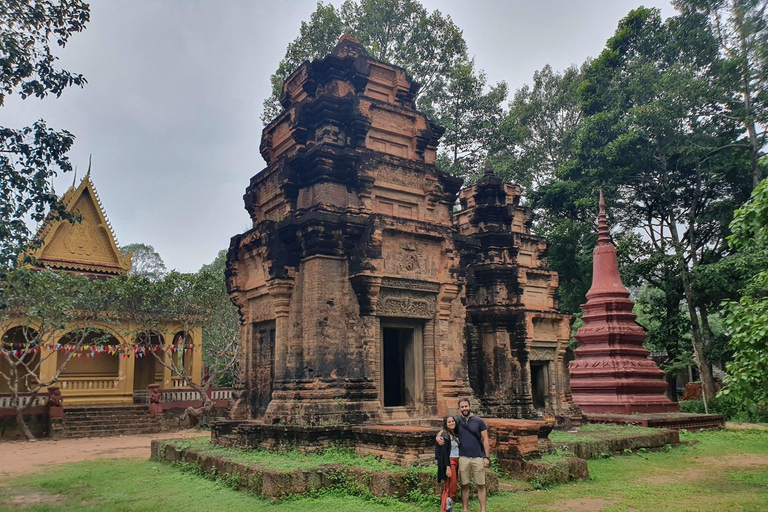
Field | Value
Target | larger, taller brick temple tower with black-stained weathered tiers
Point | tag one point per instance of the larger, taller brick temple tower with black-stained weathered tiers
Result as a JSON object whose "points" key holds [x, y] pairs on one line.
{"points": [[348, 281]]}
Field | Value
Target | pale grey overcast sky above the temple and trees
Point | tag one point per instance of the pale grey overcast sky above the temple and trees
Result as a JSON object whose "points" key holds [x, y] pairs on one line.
{"points": [[175, 88]]}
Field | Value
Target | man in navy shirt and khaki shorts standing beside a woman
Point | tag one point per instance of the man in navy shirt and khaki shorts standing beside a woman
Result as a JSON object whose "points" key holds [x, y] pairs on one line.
{"points": [[473, 452]]}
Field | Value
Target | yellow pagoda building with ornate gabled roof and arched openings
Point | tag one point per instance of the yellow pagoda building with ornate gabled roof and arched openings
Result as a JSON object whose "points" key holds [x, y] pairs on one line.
{"points": [[119, 369]]}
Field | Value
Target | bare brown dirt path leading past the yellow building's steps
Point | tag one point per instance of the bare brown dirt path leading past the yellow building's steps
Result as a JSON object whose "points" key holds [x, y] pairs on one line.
{"points": [[22, 457]]}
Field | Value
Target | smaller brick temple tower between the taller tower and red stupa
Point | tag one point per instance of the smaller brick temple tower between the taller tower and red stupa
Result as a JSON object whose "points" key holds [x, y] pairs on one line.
{"points": [[516, 337]]}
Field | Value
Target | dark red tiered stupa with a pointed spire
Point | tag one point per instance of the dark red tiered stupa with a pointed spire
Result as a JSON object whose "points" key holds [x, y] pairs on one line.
{"points": [[612, 372]]}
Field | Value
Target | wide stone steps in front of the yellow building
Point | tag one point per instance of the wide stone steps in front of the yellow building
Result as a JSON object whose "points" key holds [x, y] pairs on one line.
{"points": [[107, 420]]}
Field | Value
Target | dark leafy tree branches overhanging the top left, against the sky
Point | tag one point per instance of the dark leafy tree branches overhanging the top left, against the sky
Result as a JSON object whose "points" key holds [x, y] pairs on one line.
{"points": [[31, 156]]}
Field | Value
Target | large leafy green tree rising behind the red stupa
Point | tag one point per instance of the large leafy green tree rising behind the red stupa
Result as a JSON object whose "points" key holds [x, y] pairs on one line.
{"points": [[672, 169]]}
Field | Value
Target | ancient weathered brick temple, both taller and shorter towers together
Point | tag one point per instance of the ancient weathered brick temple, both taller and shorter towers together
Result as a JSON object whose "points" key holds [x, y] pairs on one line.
{"points": [[364, 296]]}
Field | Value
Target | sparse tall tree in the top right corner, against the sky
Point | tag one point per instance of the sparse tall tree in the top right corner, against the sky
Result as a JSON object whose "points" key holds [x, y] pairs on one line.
{"points": [[741, 30]]}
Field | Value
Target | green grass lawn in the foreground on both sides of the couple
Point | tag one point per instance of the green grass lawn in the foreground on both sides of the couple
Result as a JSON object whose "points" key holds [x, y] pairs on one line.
{"points": [[721, 471]]}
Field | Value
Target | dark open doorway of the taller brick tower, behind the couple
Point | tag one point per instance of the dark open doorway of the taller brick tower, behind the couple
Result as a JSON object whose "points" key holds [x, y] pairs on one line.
{"points": [[402, 375]]}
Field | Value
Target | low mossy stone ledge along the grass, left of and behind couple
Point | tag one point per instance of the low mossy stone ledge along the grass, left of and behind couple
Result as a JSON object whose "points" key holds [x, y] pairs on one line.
{"points": [[277, 484]]}
